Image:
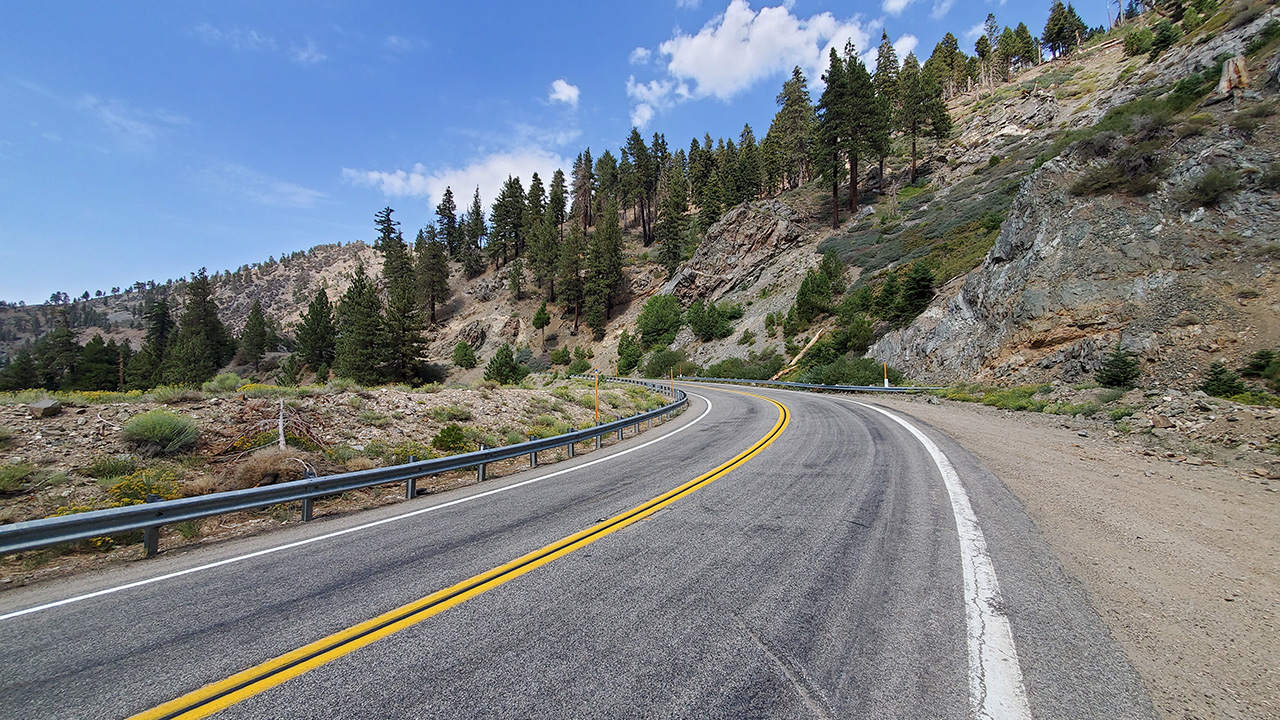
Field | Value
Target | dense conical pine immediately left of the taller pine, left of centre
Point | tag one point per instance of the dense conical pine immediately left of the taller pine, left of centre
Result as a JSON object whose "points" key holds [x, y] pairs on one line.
{"points": [[360, 349]]}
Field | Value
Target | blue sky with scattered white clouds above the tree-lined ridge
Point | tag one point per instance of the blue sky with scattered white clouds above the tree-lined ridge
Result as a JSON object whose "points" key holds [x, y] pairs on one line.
{"points": [[147, 140]]}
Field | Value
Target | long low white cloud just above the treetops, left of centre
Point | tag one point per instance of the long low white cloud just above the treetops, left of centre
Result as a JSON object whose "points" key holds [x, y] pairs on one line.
{"points": [[488, 174]]}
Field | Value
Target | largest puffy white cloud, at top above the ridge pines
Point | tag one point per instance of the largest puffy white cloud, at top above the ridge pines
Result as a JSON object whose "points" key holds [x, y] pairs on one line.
{"points": [[739, 49]]}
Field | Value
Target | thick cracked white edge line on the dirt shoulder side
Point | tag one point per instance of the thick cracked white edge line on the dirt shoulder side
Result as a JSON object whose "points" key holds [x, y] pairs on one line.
{"points": [[996, 689]]}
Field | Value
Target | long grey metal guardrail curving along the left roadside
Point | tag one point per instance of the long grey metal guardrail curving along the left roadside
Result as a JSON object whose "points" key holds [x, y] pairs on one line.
{"points": [[150, 517]]}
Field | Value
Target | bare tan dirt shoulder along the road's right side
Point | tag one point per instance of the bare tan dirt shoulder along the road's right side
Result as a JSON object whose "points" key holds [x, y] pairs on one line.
{"points": [[1182, 560]]}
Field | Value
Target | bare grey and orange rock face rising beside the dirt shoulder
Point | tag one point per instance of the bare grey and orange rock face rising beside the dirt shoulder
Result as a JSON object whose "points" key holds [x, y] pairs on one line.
{"points": [[1071, 277]]}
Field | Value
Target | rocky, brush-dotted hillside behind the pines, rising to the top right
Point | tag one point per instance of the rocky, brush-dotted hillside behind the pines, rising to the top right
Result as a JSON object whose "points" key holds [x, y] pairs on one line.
{"points": [[1044, 253]]}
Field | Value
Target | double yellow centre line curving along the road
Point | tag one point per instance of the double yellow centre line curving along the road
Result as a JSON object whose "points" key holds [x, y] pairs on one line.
{"points": [[249, 683]]}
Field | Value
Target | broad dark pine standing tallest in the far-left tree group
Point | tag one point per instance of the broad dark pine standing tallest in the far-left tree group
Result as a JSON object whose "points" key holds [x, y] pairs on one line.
{"points": [[202, 347]]}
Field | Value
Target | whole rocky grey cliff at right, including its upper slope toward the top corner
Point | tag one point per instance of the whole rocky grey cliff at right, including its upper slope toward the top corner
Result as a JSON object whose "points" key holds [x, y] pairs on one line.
{"points": [[1181, 280]]}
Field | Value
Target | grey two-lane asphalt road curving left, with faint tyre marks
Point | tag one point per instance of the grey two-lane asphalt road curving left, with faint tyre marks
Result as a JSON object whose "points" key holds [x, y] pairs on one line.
{"points": [[821, 578]]}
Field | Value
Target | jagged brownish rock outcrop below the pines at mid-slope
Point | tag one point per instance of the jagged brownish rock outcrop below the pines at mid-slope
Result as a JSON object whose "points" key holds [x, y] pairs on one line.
{"points": [[738, 249]]}
